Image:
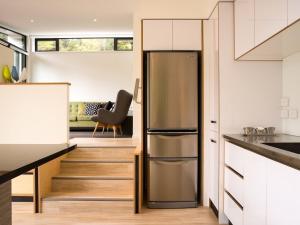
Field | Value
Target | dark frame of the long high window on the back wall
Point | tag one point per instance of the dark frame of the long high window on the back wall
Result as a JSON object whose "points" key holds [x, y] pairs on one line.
{"points": [[57, 49]]}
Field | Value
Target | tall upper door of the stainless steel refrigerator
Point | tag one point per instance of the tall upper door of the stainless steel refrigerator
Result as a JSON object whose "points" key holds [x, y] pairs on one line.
{"points": [[172, 90]]}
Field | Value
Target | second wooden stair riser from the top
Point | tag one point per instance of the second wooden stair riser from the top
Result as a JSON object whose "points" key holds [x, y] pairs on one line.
{"points": [[97, 169]]}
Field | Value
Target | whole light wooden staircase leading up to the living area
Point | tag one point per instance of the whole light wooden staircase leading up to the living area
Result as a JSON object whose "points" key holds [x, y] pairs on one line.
{"points": [[93, 179]]}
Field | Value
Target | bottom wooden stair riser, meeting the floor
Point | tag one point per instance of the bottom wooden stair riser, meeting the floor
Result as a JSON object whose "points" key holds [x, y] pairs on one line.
{"points": [[78, 207]]}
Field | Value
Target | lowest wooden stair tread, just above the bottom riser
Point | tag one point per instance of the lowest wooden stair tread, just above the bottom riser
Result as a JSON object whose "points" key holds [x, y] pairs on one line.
{"points": [[69, 196]]}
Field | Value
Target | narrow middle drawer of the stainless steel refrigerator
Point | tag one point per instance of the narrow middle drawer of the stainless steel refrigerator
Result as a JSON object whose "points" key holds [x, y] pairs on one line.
{"points": [[172, 145]]}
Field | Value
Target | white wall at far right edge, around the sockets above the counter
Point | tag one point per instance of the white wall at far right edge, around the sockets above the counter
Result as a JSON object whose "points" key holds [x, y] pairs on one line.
{"points": [[291, 90]]}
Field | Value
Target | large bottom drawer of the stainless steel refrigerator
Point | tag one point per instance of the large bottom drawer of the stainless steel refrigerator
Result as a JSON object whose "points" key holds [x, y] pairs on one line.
{"points": [[173, 180]]}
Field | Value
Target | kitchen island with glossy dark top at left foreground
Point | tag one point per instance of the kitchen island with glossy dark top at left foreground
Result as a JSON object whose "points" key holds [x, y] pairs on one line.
{"points": [[16, 159]]}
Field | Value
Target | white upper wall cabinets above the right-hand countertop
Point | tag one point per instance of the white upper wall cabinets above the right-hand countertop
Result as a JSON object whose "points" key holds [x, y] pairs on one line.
{"points": [[262, 30]]}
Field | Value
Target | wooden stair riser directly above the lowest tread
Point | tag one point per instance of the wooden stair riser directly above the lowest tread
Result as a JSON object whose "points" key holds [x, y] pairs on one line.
{"points": [[100, 185]]}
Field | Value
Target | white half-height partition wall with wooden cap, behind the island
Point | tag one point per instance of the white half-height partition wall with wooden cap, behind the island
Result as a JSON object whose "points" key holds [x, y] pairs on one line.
{"points": [[34, 114]]}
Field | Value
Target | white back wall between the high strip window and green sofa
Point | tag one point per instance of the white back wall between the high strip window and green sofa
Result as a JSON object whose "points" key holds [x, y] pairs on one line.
{"points": [[93, 76]]}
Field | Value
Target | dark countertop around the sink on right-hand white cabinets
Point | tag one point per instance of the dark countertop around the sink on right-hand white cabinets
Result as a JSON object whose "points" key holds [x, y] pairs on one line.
{"points": [[254, 144]]}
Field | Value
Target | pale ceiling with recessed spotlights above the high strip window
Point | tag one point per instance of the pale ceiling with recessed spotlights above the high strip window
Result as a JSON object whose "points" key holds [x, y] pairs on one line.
{"points": [[52, 17]]}
